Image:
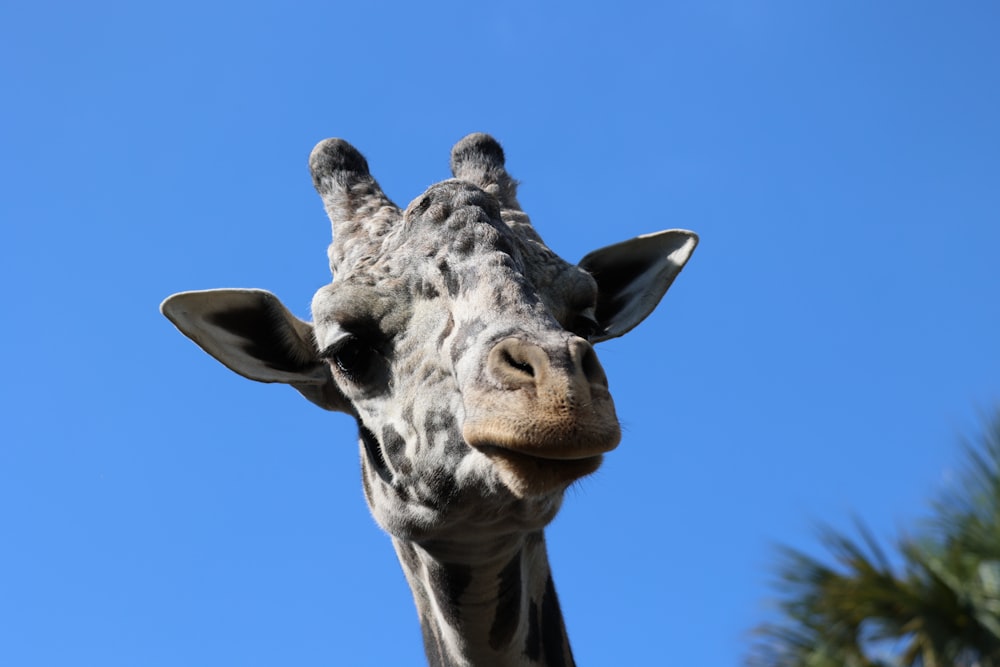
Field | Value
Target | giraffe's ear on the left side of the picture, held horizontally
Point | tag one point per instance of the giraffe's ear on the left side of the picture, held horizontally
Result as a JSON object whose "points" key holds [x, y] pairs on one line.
{"points": [[253, 334]]}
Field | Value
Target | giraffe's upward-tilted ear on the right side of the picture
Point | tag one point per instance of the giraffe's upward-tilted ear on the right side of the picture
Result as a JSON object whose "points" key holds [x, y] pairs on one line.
{"points": [[633, 276]]}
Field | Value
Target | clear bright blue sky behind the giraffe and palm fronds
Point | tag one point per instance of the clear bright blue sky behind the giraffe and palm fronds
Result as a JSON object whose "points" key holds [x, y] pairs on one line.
{"points": [[834, 336]]}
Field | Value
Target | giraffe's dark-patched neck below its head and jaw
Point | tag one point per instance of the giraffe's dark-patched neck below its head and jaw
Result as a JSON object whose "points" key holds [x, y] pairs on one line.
{"points": [[486, 604]]}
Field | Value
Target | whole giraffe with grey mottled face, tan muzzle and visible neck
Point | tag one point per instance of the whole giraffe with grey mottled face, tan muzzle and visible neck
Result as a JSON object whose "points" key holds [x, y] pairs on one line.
{"points": [[463, 348]]}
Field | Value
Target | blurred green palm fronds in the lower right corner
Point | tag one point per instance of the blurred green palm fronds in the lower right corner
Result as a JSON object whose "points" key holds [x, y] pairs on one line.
{"points": [[939, 606]]}
